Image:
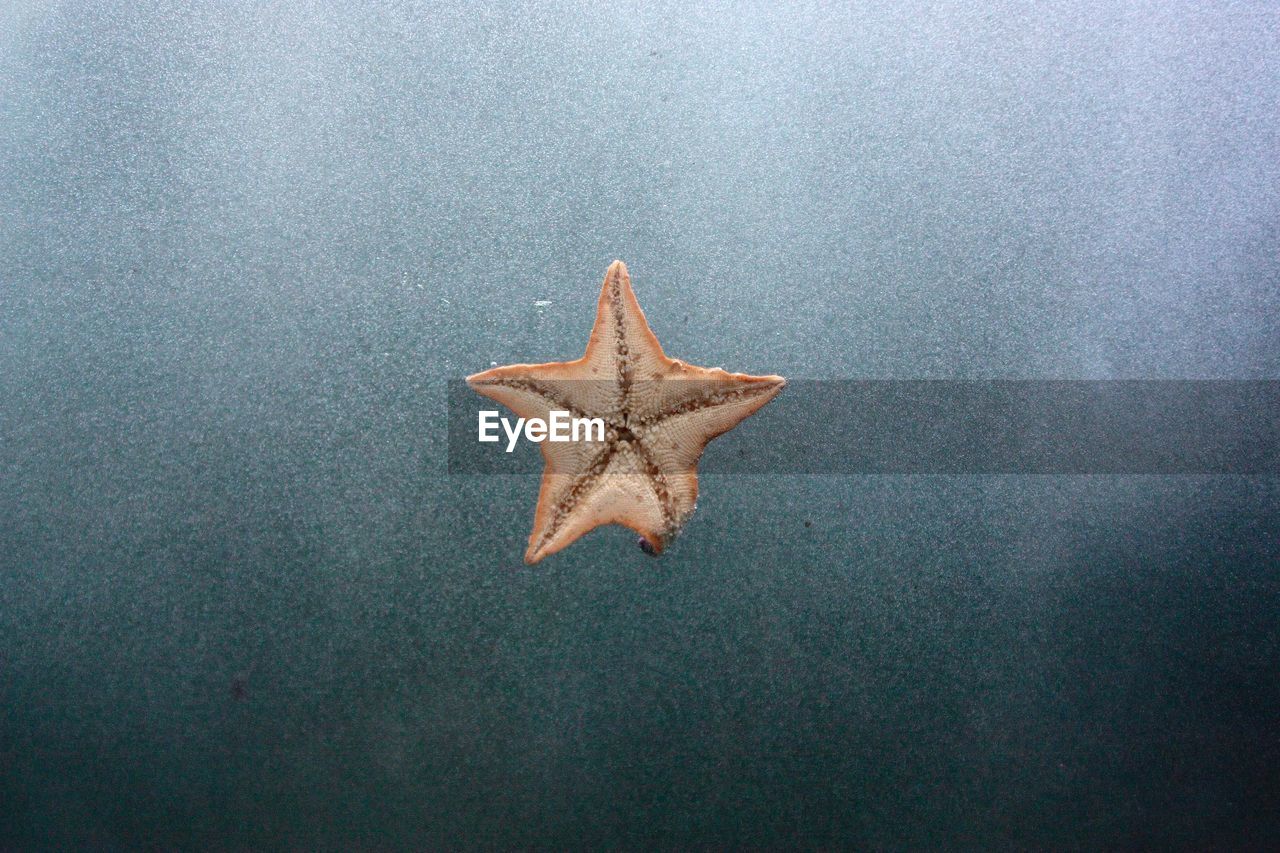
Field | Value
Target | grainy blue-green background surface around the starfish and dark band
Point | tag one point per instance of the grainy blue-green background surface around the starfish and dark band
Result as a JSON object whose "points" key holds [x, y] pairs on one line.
{"points": [[244, 247]]}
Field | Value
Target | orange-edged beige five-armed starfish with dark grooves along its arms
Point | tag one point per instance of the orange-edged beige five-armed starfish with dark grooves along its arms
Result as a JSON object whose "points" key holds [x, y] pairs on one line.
{"points": [[659, 416]]}
